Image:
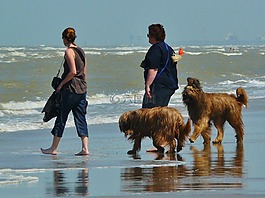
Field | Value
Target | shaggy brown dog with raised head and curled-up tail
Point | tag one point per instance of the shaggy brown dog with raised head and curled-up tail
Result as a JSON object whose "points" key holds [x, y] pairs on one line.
{"points": [[218, 108]]}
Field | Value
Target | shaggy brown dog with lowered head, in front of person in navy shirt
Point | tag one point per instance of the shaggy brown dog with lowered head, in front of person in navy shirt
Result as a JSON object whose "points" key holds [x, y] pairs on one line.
{"points": [[162, 124]]}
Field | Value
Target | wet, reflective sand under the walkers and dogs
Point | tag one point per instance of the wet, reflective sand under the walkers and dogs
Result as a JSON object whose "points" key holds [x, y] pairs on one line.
{"points": [[198, 170]]}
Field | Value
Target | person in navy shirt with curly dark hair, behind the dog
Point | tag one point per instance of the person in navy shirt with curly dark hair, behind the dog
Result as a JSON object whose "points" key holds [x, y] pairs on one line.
{"points": [[160, 70]]}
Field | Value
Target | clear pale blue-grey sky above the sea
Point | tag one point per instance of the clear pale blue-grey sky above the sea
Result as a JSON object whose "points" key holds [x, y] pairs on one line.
{"points": [[125, 22]]}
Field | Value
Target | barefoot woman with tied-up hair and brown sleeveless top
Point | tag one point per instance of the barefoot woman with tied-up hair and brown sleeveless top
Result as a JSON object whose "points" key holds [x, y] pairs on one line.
{"points": [[73, 88]]}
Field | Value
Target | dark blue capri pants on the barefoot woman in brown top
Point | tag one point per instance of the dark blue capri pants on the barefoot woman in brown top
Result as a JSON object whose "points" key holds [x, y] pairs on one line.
{"points": [[76, 103]]}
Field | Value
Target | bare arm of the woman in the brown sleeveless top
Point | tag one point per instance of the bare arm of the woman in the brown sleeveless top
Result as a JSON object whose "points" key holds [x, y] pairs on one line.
{"points": [[70, 58]]}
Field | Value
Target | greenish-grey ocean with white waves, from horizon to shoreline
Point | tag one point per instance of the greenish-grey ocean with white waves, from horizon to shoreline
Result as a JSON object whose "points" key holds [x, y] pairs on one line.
{"points": [[115, 80]]}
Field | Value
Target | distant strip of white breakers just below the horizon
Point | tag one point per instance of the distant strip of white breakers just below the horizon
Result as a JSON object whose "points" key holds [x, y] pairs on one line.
{"points": [[10, 54]]}
